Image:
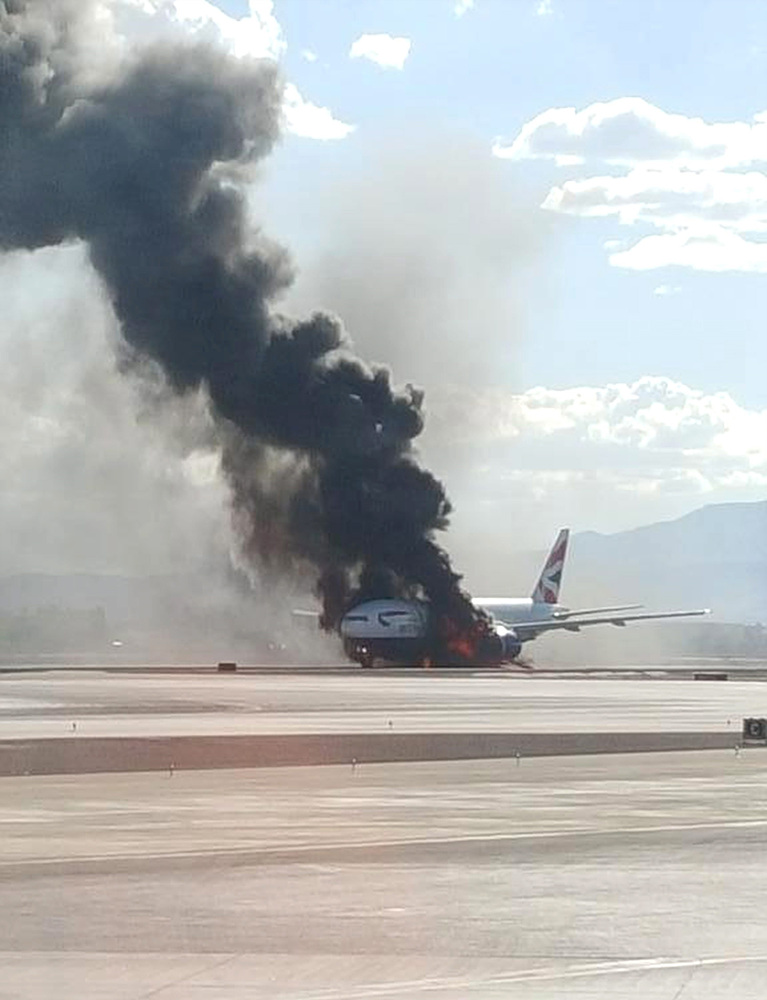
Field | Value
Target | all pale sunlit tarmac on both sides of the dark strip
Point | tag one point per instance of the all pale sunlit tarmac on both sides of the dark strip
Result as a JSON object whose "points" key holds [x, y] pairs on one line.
{"points": [[588, 876]]}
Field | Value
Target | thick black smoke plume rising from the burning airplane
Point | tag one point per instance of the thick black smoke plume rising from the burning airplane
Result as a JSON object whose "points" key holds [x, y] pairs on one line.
{"points": [[140, 164]]}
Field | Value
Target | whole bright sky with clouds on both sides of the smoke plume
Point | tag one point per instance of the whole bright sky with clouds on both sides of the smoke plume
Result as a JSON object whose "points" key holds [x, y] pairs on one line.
{"points": [[551, 214]]}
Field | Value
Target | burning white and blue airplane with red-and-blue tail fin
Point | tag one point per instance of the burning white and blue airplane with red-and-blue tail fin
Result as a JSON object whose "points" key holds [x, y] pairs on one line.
{"points": [[398, 631]]}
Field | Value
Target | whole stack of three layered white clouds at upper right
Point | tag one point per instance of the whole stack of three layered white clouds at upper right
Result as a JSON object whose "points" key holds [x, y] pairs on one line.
{"points": [[692, 180]]}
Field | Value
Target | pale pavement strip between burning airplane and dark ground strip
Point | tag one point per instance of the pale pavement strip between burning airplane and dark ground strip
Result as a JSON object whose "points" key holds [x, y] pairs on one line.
{"points": [[36, 705]]}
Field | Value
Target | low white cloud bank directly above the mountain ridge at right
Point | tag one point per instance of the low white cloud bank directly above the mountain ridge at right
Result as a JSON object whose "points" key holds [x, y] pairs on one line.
{"points": [[655, 433]]}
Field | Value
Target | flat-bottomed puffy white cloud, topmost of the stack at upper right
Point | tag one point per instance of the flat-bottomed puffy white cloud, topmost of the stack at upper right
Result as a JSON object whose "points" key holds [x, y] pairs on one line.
{"points": [[630, 130]]}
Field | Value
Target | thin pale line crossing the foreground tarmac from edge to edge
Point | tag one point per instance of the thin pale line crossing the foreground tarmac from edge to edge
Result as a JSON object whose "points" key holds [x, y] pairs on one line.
{"points": [[299, 849]]}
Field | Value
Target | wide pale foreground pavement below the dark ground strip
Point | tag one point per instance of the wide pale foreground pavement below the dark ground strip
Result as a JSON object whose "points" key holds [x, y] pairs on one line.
{"points": [[636, 876]]}
